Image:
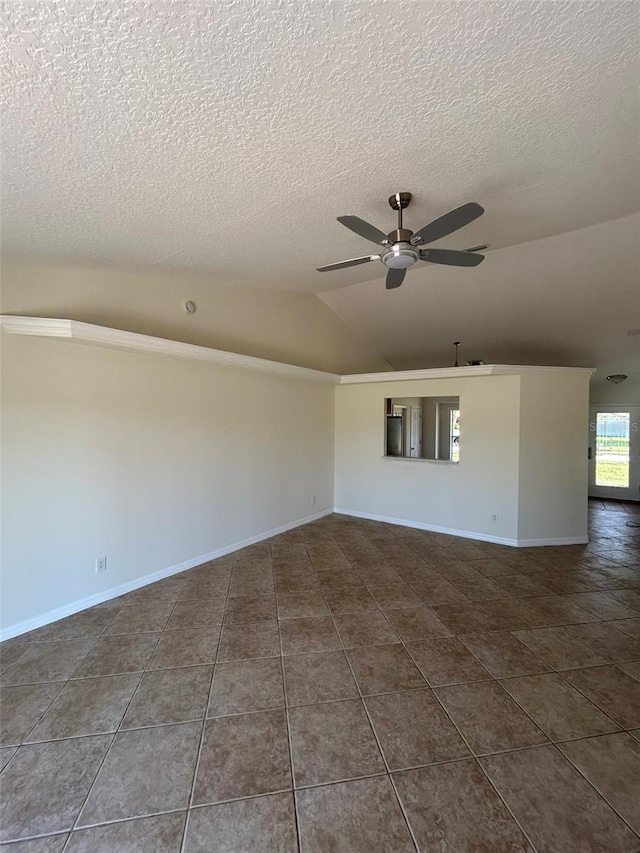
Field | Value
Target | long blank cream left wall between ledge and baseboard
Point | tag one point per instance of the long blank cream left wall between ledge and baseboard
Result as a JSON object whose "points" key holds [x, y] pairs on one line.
{"points": [[151, 461]]}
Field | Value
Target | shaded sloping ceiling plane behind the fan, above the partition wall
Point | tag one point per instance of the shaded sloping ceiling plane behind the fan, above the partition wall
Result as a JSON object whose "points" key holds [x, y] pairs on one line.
{"points": [[568, 300]]}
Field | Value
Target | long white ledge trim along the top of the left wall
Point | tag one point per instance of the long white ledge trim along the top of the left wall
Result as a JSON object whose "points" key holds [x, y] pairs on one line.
{"points": [[102, 336]]}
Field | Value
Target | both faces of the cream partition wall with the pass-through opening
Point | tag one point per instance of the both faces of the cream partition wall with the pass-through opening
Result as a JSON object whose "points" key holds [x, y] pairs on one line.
{"points": [[522, 458]]}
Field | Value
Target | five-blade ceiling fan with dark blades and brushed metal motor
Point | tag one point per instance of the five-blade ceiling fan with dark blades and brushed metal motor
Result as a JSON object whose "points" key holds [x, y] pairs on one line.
{"points": [[402, 248]]}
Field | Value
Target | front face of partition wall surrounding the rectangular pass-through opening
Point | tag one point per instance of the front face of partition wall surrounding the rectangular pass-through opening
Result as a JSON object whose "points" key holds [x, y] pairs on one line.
{"points": [[458, 497]]}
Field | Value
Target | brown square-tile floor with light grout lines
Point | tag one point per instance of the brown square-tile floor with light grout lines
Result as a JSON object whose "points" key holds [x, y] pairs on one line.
{"points": [[348, 686]]}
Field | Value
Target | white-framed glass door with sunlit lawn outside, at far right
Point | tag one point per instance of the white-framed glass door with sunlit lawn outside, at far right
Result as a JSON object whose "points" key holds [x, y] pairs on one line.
{"points": [[614, 452]]}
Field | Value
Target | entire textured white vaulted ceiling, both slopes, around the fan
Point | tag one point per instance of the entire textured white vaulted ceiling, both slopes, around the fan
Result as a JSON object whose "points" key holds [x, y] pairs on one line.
{"points": [[226, 137]]}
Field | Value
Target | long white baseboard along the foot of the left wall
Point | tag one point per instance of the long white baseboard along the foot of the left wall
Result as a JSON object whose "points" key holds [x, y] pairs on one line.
{"points": [[115, 591]]}
